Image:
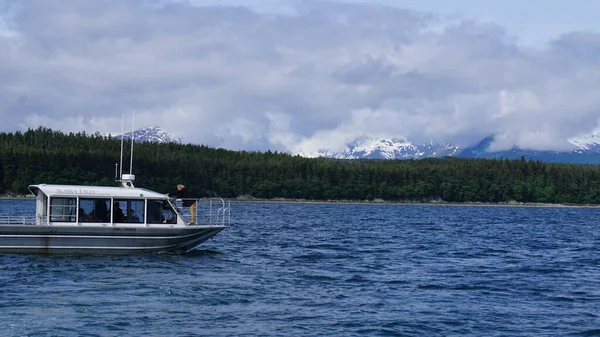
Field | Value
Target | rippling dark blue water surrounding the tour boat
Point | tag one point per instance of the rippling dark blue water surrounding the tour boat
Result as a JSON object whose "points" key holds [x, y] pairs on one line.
{"points": [[328, 270]]}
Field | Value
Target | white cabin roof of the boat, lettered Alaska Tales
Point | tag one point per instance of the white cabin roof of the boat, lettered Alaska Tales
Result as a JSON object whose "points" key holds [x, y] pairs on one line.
{"points": [[95, 191]]}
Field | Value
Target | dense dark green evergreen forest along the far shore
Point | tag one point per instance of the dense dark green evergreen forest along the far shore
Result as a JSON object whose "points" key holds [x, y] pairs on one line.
{"points": [[47, 156]]}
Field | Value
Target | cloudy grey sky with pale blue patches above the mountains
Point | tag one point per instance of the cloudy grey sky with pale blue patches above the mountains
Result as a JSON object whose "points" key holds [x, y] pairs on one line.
{"points": [[305, 76]]}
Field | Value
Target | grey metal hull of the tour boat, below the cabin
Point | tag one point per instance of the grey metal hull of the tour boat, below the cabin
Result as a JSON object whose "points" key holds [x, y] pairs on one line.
{"points": [[103, 239]]}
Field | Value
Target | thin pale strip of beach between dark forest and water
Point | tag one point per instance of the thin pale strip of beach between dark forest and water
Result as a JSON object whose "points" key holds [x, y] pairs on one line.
{"points": [[246, 199]]}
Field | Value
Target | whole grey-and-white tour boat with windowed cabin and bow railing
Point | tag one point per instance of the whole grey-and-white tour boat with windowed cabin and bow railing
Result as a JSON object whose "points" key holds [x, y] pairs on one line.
{"points": [[110, 220]]}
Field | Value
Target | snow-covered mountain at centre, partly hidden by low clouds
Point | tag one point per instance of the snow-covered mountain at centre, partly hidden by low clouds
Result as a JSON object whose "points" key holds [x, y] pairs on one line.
{"points": [[374, 148]]}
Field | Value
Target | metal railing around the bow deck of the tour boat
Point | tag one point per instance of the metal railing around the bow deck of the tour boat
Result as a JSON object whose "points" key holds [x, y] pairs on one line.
{"points": [[209, 211]]}
